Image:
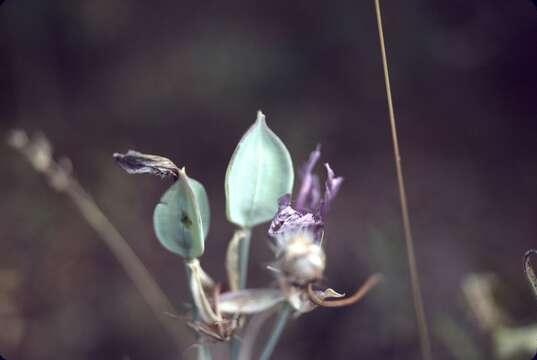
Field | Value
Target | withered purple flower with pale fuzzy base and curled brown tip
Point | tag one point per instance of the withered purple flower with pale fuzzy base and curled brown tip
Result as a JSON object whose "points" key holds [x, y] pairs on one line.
{"points": [[296, 235]]}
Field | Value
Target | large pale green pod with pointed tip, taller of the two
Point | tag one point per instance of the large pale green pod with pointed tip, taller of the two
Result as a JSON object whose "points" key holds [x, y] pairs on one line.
{"points": [[259, 173]]}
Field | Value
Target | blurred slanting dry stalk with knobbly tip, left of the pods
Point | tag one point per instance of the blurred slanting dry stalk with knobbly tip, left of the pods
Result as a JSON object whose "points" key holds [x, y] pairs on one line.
{"points": [[39, 153]]}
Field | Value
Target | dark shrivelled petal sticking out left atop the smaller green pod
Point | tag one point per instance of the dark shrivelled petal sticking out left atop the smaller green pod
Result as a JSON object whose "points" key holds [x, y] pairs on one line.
{"points": [[134, 162]]}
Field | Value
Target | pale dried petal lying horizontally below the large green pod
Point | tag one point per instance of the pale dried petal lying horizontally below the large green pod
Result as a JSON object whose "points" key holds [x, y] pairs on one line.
{"points": [[249, 301]]}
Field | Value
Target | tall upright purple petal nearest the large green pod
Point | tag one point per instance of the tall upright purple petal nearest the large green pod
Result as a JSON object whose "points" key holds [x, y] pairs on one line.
{"points": [[308, 195]]}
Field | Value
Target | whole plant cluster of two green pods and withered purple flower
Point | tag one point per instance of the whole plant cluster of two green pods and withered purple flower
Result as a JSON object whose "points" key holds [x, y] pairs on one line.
{"points": [[296, 232]]}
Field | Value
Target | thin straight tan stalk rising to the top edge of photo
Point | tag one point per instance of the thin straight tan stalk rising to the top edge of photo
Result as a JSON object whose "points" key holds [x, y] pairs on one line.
{"points": [[425, 344]]}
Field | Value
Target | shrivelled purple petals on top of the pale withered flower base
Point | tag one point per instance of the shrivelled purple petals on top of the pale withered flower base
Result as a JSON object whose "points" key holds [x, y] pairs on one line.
{"points": [[310, 209]]}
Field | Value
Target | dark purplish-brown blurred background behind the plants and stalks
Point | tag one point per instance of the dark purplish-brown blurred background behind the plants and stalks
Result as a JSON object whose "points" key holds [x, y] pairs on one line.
{"points": [[184, 79]]}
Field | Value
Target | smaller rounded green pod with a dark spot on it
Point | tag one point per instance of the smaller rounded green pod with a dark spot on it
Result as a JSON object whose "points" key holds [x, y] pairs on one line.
{"points": [[181, 219]]}
